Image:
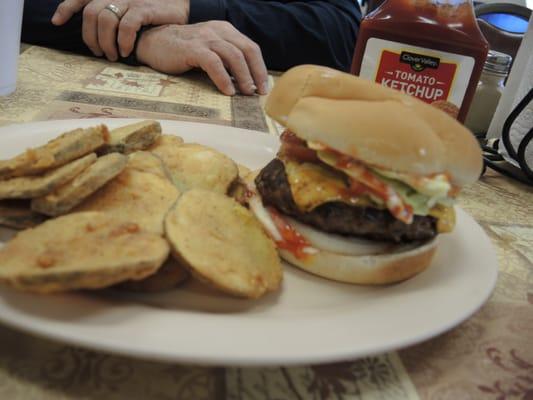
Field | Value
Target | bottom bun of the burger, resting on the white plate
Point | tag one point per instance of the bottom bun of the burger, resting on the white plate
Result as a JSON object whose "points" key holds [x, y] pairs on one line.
{"points": [[369, 270]]}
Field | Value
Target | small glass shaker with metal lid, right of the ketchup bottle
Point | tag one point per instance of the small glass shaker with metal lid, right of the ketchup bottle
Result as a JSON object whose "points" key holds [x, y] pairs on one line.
{"points": [[489, 90]]}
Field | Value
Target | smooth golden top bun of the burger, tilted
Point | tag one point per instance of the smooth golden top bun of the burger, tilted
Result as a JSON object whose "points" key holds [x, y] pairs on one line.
{"points": [[375, 124]]}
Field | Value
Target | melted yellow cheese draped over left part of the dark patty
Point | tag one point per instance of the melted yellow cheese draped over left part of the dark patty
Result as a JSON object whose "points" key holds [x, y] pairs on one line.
{"points": [[312, 185]]}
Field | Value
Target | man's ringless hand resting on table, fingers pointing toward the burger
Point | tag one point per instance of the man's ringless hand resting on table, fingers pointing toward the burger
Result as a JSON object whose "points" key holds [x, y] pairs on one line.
{"points": [[214, 46]]}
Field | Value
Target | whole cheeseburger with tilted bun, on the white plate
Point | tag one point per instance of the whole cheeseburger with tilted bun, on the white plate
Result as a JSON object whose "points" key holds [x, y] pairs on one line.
{"points": [[365, 177]]}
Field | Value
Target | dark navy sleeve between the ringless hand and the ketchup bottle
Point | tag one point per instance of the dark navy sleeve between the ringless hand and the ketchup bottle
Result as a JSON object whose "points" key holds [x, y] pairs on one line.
{"points": [[290, 32]]}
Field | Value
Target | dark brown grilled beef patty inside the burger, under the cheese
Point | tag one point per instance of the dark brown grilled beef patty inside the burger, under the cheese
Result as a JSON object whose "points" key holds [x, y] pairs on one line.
{"points": [[338, 217]]}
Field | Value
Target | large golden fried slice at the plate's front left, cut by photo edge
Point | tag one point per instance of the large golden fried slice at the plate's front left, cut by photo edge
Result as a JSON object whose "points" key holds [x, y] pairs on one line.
{"points": [[80, 251]]}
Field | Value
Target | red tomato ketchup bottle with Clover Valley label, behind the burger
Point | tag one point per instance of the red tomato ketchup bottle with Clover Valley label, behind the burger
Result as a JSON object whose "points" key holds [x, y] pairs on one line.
{"points": [[430, 49]]}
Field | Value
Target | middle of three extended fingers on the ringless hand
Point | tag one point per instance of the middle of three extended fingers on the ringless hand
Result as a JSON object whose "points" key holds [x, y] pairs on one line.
{"points": [[235, 61]]}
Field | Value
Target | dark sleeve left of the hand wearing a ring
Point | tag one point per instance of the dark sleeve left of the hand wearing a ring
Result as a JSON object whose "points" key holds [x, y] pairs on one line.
{"points": [[37, 28]]}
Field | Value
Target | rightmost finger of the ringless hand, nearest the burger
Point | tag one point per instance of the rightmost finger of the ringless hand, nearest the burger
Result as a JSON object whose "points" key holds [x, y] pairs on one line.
{"points": [[254, 59]]}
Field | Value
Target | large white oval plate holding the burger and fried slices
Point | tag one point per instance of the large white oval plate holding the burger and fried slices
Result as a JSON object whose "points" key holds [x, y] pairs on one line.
{"points": [[310, 320]]}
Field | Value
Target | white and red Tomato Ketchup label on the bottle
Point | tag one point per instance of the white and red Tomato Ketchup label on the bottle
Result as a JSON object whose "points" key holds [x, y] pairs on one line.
{"points": [[431, 75]]}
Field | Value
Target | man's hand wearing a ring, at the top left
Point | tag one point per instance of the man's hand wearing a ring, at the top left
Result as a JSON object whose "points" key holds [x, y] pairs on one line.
{"points": [[102, 29]]}
